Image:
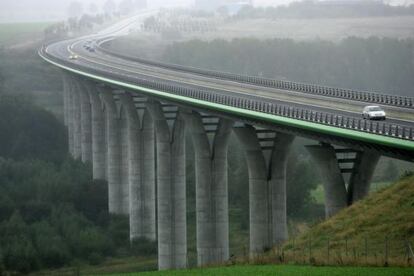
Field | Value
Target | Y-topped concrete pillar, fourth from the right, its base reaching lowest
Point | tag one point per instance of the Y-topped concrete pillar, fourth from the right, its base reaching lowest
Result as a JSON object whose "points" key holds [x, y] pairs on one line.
{"points": [[171, 192]]}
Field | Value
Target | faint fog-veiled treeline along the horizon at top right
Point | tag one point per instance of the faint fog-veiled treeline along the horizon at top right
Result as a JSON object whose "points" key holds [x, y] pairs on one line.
{"points": [[325, 9]]}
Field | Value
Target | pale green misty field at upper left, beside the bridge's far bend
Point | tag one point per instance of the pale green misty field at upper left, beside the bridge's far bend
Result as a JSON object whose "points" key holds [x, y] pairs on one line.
{"points": [[16, 33]]}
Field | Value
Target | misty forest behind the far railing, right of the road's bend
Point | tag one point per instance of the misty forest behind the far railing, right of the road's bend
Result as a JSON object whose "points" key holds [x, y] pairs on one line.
{"points": [[376, 64]]}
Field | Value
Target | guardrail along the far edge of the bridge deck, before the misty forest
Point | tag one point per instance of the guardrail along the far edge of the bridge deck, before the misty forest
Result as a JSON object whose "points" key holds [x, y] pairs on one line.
{"points": [[363, 96]]}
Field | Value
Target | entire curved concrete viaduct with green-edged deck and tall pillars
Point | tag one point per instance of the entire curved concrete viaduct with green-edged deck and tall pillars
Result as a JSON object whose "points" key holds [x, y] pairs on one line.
{"points": [[128, 116]]}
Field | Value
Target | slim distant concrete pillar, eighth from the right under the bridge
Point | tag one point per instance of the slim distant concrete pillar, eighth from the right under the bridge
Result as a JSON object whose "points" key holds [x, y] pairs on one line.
{"points": [[86, 124]]}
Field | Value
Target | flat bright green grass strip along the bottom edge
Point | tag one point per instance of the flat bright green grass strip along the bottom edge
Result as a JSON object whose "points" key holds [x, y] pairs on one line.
{"points": [[285, 270]]}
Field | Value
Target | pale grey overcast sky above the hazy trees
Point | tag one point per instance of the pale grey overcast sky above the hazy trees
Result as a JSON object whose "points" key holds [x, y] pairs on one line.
{"points": [[54, 10]]}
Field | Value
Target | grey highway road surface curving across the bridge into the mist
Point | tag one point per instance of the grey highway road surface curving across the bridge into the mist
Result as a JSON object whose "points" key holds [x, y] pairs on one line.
{"points": [[122, 69]]}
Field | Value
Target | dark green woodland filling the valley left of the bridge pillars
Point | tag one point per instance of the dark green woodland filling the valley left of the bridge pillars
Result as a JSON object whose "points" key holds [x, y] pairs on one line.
{"points": [[51, 211]]}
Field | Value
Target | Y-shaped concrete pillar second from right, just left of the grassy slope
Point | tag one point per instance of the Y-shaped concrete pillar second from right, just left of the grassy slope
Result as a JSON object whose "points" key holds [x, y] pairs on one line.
{"points": [[267, 188]]}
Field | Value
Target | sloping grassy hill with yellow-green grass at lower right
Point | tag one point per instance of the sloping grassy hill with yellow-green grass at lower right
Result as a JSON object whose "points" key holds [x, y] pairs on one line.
{"points": [[378, 229]]}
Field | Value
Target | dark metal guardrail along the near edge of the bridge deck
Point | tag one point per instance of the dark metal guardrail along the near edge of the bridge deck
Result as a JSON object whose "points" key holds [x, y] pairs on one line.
{"points": [[303, 114]]}
